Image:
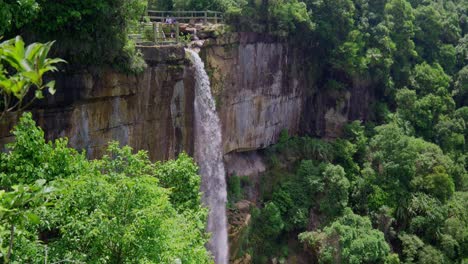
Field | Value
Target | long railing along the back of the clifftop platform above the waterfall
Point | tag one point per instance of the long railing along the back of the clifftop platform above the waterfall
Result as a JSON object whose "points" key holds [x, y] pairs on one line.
{"points": [[186, 16]]}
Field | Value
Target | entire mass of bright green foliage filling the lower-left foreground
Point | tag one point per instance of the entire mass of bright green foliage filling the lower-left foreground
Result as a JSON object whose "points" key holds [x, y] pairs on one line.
{"points": [[118, 209]]}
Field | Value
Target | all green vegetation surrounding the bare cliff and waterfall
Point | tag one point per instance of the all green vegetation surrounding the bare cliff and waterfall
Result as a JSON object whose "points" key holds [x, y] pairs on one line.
{"points": [[393, 189]]}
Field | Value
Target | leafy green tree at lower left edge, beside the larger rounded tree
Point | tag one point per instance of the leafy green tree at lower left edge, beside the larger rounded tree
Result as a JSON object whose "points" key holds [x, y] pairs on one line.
{"points": [[26, 172]]}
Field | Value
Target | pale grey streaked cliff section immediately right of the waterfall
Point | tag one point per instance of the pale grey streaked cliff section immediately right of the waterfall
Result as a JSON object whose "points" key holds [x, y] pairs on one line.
{"points": [[258, 87]]}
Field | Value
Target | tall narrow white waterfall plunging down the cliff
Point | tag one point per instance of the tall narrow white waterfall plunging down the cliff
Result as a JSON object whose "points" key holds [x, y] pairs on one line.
{"points": [[208, 153]]}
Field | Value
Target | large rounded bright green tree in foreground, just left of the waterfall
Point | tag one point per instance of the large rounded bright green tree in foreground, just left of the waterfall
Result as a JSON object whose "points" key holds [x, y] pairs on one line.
{"points": [[131, 218]]}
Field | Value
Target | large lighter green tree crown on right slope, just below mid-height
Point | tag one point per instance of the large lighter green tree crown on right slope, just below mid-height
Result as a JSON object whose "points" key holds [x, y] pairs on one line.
{"points": [[405, 164]]}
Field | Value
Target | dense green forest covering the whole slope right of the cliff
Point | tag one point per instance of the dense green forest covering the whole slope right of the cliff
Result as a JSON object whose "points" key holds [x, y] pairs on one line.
{"points": [[409, 174]]}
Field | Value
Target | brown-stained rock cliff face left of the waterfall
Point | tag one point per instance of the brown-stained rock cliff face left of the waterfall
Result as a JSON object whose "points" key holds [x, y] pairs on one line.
{"points": [[151, 111]]}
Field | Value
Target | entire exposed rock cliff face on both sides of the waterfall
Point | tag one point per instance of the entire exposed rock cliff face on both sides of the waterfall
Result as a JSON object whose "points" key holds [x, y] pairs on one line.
{"points": [[260, 85]]}
